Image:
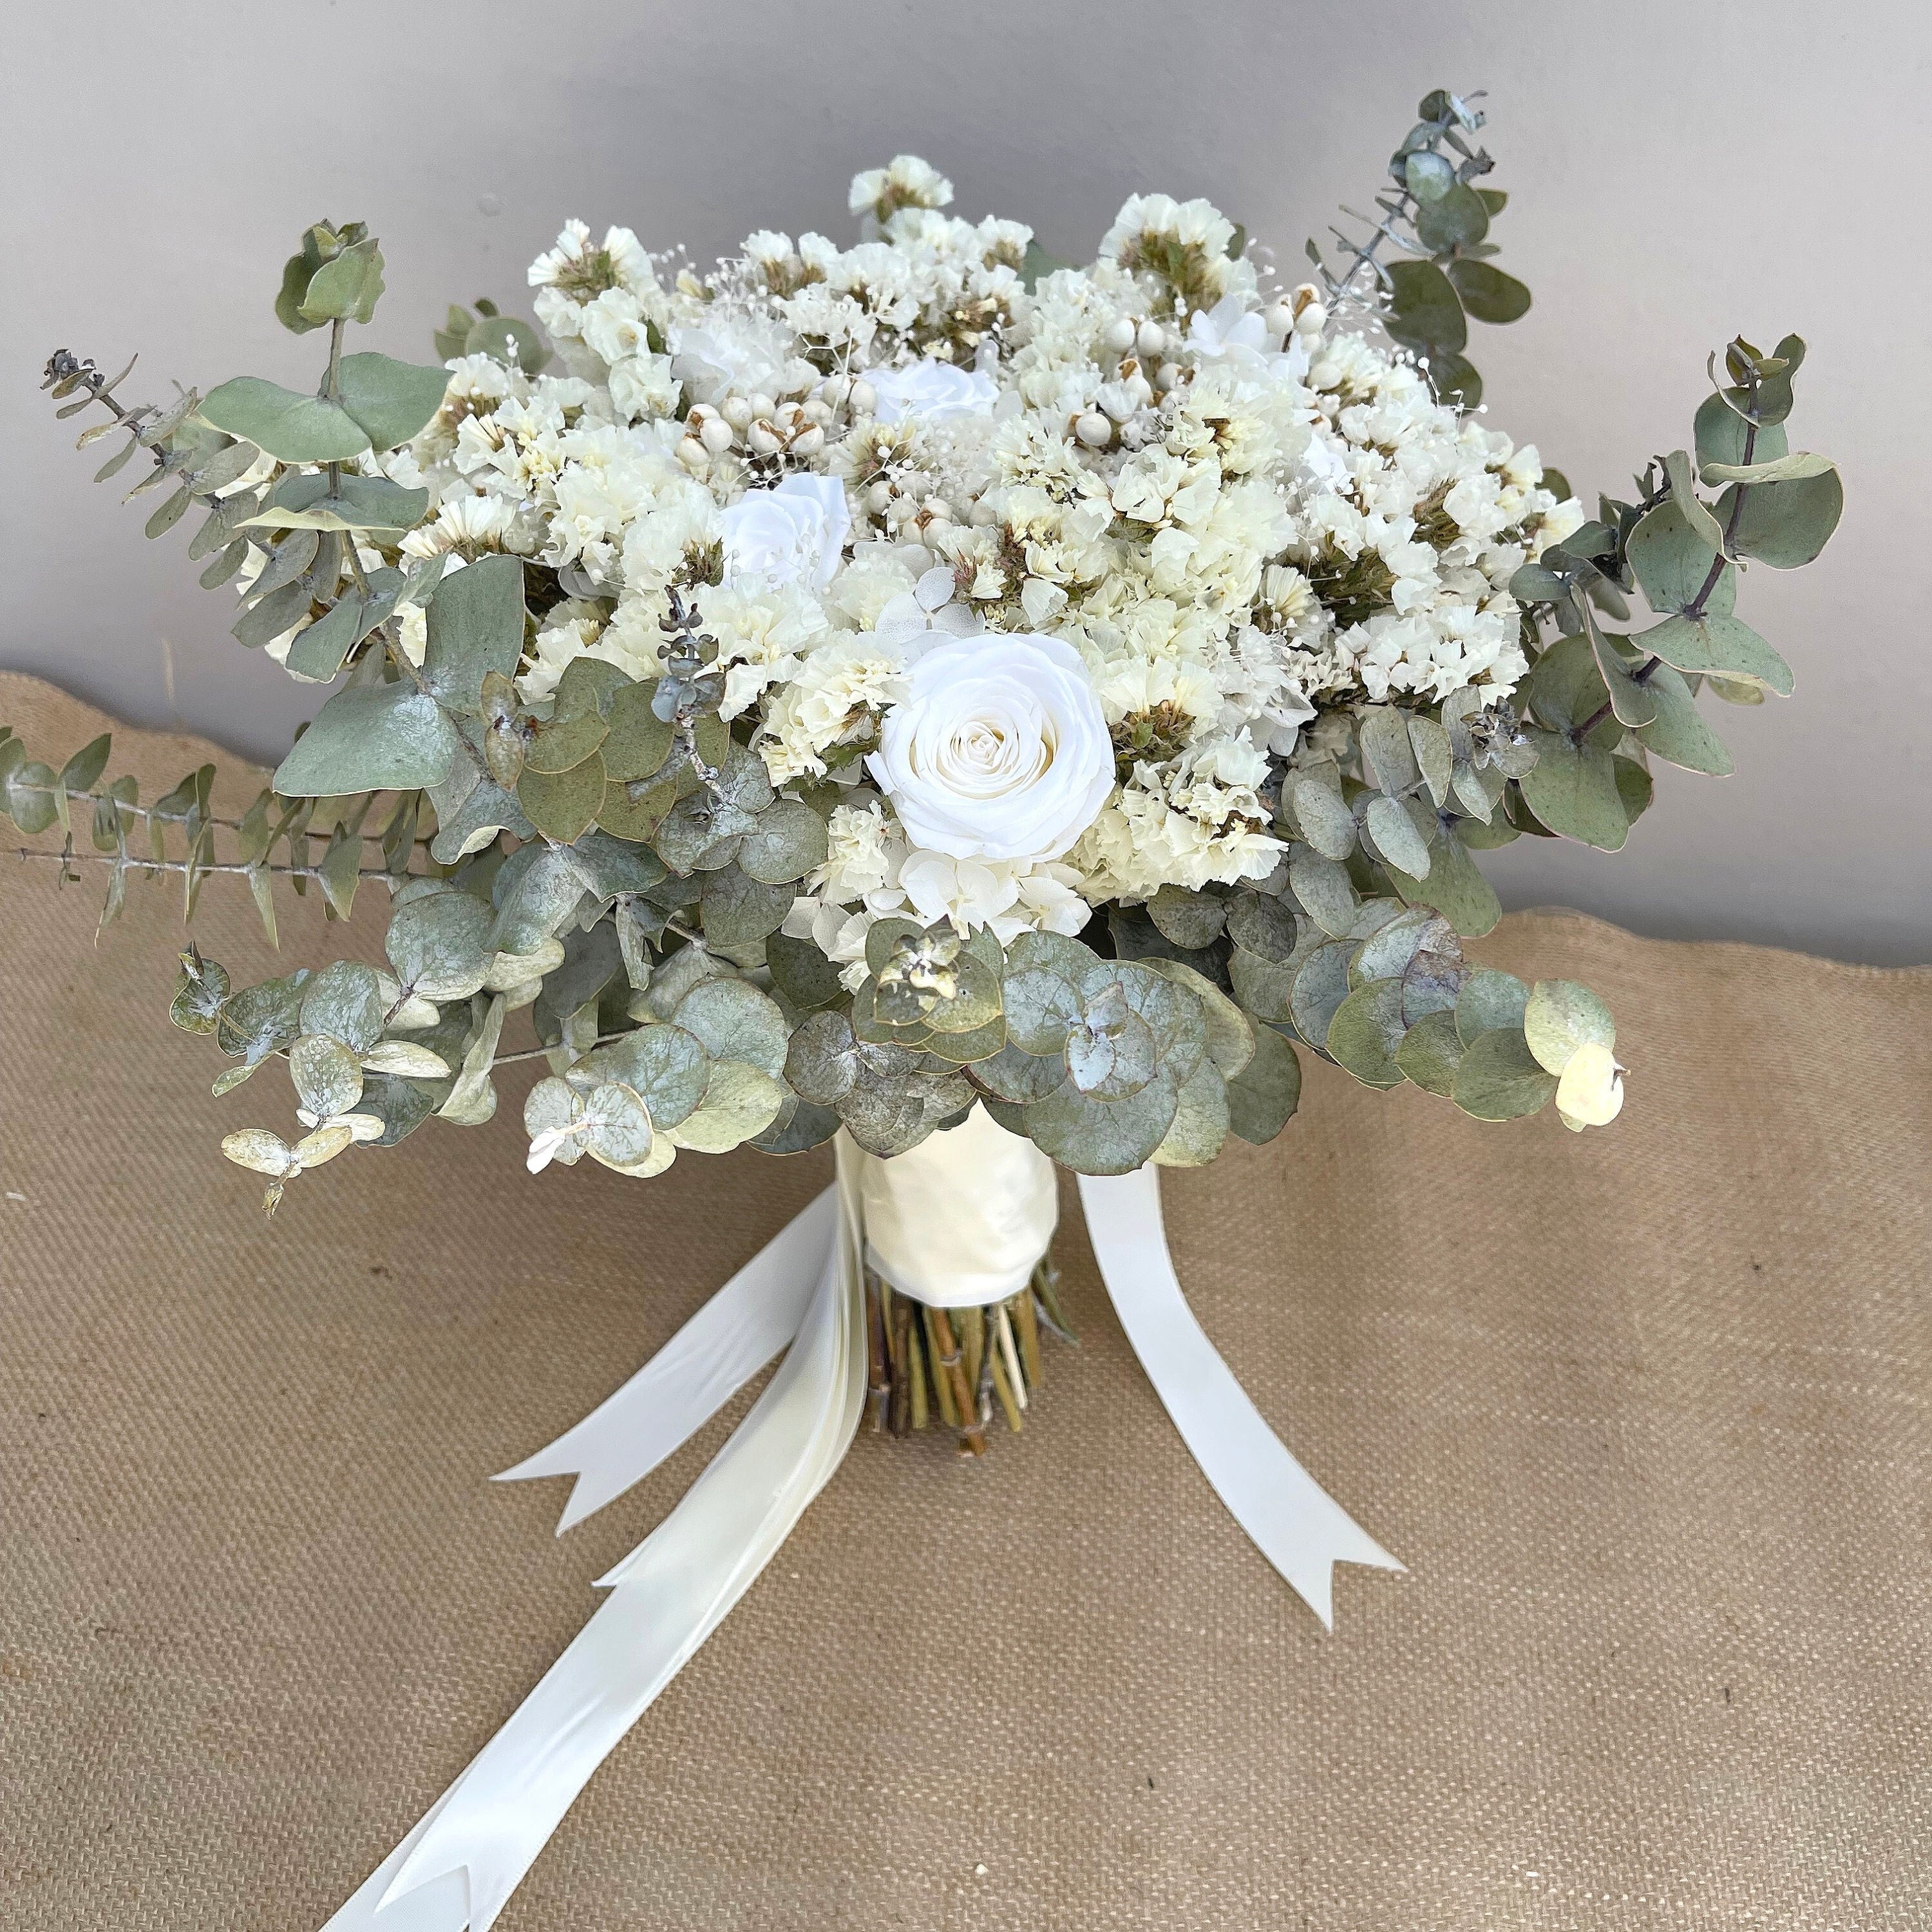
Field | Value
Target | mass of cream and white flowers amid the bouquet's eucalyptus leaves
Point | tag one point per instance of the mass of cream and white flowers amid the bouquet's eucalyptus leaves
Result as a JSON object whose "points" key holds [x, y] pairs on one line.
{"points": [[1222, 507]]}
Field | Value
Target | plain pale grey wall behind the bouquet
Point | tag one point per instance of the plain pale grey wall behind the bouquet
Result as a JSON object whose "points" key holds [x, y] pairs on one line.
{"points": [[1682, 171]]}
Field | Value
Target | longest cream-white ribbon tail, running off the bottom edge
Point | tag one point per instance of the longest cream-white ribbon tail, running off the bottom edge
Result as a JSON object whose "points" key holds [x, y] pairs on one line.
{"points": [[470, 1852]]}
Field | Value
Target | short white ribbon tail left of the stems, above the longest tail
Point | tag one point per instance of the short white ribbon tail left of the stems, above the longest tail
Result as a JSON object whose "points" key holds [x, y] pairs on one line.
{"points": [[695, 1375]]}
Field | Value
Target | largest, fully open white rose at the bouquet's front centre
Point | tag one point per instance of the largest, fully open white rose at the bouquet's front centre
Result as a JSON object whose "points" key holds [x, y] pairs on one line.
{"points": [[1000, 749]]}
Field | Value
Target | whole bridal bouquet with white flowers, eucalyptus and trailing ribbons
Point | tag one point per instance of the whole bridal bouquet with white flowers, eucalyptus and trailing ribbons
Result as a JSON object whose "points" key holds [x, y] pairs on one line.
{"points": [[919, 695]]}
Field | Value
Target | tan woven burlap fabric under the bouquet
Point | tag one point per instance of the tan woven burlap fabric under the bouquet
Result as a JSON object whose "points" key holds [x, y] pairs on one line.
{"points": [[1647, 1415]]}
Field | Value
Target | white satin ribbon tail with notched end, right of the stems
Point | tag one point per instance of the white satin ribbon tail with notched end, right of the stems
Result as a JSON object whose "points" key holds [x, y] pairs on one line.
{"points": [[1293, 1521]]}
